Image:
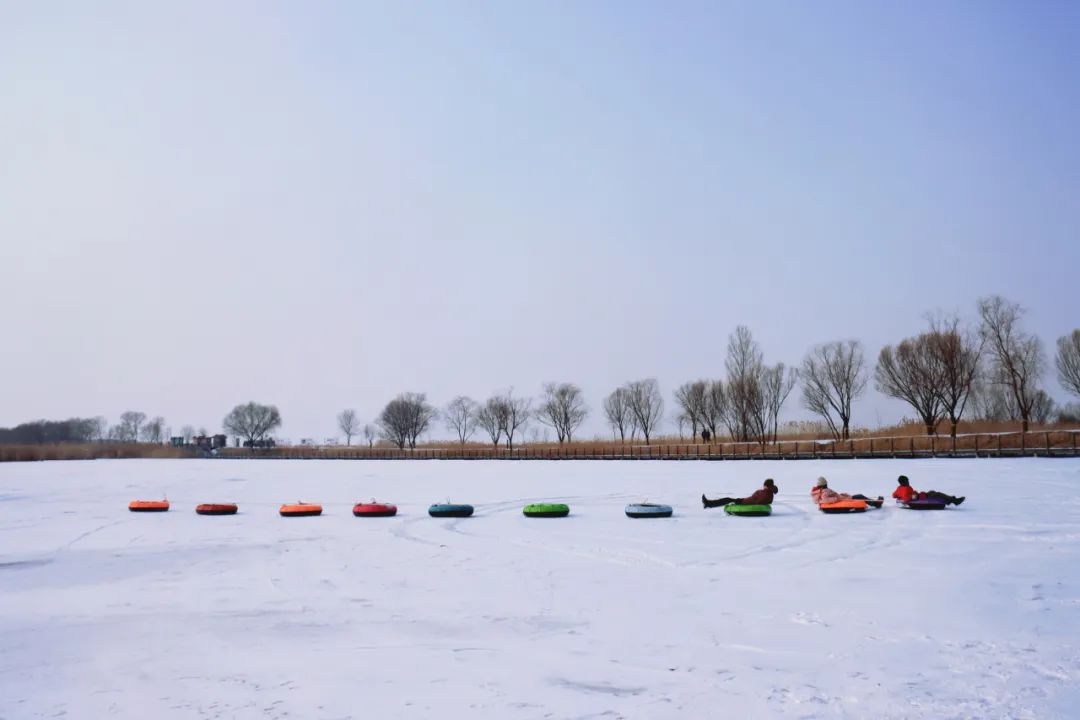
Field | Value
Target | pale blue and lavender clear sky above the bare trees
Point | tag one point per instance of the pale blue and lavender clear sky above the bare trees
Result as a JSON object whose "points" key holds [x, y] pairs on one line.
{"points": [[321, 206]]}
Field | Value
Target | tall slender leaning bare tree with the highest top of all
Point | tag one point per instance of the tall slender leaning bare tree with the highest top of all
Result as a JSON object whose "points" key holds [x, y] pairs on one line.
{"points": [[1017, 358]]}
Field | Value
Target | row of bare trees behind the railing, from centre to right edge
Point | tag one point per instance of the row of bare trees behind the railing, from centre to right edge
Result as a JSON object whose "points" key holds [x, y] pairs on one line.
{"points": [[988, 369]]}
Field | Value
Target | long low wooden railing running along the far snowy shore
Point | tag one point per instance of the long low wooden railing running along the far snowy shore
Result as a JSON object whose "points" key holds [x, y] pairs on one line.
{"points": [[1056, 444]]}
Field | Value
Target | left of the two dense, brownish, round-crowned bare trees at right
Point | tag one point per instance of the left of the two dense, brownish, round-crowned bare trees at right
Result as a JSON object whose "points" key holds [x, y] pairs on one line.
{"points": [[911, 373]]}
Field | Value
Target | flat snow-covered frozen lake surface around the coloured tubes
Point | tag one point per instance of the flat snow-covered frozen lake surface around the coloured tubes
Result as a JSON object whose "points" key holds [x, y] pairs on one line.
{"points": [[973, 613]]}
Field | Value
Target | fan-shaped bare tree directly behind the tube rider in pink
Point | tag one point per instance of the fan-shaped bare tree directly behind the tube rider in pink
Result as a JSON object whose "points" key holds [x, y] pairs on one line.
{"points": [[833, 378]]}
